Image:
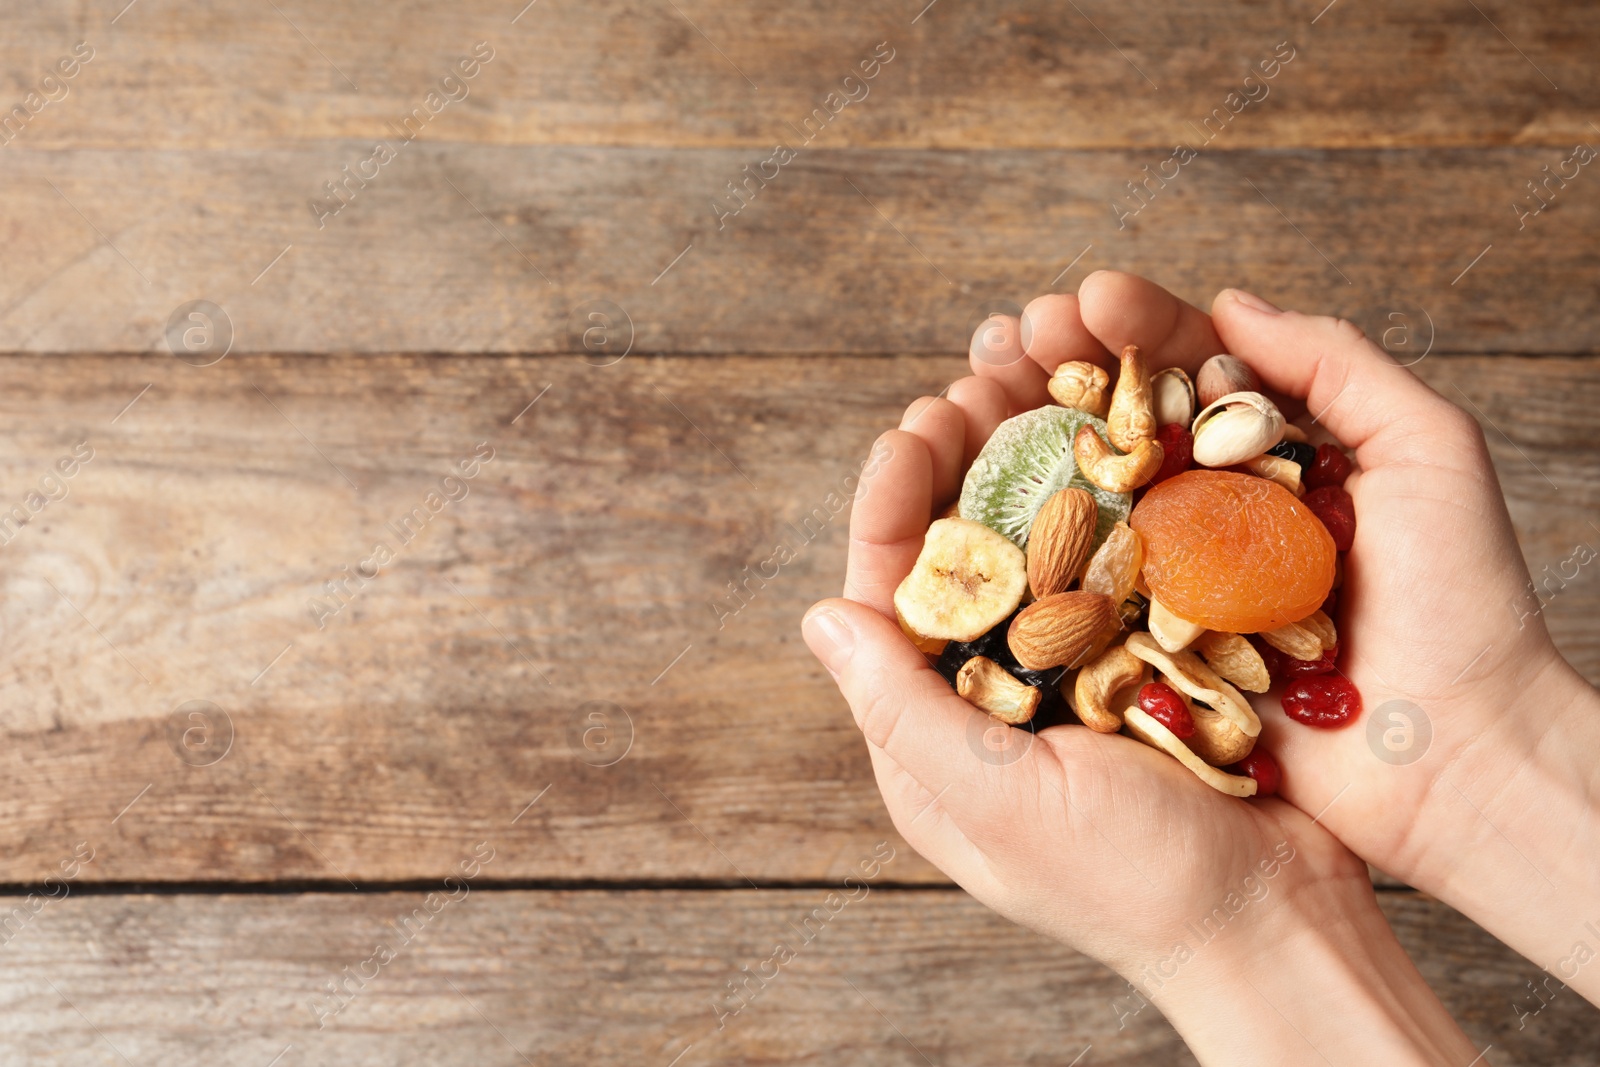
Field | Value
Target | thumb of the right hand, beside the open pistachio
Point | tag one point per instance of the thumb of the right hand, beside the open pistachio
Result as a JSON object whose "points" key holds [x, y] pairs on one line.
{"points": [[1350, 385]]}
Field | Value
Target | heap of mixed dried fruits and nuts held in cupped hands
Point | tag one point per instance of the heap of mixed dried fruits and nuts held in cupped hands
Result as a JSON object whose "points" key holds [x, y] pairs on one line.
{"points": [[1049, 586]]}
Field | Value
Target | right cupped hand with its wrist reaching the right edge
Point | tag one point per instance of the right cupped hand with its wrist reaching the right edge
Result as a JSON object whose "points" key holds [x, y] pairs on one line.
{"points": [[1474, 772]]}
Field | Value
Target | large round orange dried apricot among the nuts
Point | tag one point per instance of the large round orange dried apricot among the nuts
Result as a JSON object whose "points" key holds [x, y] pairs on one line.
{"points": [[1233, 553]]}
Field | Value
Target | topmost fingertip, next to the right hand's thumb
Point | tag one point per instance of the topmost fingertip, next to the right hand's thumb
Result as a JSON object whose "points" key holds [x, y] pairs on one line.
{"points": [[1124, 310]]}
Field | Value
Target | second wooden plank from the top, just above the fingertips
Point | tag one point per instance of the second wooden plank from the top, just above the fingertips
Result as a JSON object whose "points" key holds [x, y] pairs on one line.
{"points": [[474, 249]]}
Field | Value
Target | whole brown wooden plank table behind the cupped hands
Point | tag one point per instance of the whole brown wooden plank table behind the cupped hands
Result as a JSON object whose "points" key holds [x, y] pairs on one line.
{"points": [[284, 748]]}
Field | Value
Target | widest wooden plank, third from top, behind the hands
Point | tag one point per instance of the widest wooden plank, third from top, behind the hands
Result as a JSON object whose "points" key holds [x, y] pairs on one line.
{"points": [[185, 562]]}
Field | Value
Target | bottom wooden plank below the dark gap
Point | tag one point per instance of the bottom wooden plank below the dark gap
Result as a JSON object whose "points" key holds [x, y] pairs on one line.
{"points": [[610, 978]]}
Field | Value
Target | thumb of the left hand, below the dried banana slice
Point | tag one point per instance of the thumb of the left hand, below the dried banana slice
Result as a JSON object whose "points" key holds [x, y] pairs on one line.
{"points": [[902, 705]]}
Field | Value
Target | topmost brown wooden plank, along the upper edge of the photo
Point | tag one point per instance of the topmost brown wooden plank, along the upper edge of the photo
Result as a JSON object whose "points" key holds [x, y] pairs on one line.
{"points": [[1023, 74]]}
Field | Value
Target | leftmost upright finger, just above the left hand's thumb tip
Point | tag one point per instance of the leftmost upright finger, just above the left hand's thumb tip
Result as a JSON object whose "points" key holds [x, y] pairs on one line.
{"points": [[889, 519]]}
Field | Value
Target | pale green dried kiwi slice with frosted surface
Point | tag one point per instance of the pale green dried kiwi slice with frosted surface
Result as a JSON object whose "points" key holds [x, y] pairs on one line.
{"points": [[1028, 460]]}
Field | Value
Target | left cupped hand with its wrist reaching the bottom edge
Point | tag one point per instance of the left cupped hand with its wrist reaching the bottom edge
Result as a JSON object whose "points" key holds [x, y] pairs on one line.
{"points": [[1098, 841]]}
